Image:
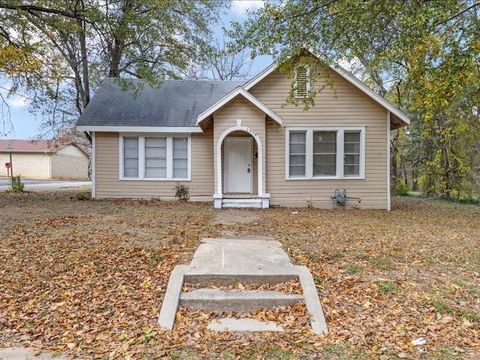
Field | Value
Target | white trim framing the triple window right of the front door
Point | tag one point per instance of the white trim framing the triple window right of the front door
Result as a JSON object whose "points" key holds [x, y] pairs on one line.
{"points": [[340, 152]]}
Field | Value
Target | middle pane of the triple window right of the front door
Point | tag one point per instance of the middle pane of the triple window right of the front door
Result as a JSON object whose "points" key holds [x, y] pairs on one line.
{"points": [[324, 153]]}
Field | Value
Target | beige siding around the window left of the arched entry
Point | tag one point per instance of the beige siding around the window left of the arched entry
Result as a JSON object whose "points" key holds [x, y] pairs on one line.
{"points": [[108, 185]]}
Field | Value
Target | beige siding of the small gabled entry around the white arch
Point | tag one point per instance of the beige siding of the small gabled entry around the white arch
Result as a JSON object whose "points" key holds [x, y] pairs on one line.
{"points": [[253, 118]]}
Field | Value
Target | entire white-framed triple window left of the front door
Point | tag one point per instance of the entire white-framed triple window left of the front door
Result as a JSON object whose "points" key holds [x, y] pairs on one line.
{"points": [[155, 157]]}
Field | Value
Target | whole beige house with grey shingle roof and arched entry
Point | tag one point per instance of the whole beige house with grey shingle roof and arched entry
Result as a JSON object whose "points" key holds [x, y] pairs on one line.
{"points": [[240, 145]]}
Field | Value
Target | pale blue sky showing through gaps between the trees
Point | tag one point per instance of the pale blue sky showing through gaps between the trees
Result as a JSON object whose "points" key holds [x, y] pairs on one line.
{"points": [[26, 127]]}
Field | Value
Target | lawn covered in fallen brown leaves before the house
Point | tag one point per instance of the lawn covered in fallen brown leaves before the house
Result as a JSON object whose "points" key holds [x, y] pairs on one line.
{"points": [[87, 278]]}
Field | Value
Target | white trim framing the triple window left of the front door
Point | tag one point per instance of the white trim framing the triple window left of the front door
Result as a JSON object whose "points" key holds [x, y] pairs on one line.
{"points": [[141, 157]]}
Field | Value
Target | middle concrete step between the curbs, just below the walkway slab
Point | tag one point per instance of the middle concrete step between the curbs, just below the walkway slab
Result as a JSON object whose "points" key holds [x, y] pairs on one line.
{"points": [[236, 300]]}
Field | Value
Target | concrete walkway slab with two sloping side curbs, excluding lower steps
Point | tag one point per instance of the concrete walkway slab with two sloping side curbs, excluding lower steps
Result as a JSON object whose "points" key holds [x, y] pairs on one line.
{"points": [[229, 261]]}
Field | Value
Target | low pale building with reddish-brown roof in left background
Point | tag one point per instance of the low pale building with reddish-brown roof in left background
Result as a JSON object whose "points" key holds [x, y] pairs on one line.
{"points": [[40, 159]]}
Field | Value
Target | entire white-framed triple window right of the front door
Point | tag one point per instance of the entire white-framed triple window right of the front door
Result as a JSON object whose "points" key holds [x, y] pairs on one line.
{"points": [[325, 153]]}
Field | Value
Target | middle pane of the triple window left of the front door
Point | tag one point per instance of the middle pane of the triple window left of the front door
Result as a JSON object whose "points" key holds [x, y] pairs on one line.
{"points": [[156, 158]]}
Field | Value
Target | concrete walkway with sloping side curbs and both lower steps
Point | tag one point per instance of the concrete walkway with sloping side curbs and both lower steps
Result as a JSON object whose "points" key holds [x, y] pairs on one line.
{"points": [[231, 261]]}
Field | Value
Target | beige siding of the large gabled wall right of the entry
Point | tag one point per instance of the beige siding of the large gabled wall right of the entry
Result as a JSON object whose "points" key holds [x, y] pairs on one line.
{"points": [[342, 105]]}
